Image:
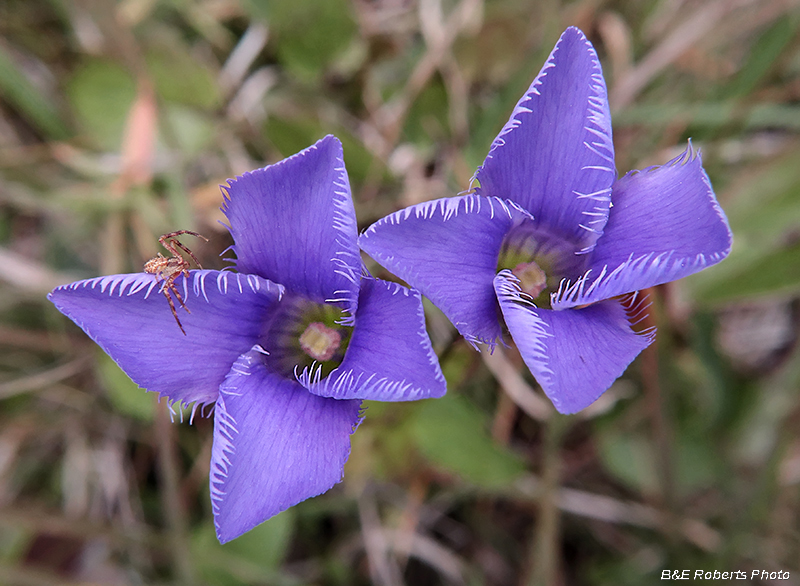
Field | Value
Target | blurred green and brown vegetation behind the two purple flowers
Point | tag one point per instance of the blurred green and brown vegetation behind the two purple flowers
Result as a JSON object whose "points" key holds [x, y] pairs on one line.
{"points": [[118, 121]]}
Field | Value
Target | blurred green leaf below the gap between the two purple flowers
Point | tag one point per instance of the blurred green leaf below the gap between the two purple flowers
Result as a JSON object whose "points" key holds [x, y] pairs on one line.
{"points": [[451, 433]]}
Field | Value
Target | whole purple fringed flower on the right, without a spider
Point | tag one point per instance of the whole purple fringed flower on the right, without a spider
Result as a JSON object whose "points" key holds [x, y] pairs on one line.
{"points": [[551, 238]]}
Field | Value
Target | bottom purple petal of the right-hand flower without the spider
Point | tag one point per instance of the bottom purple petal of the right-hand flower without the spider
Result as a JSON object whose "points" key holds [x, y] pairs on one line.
{"points": [[575, 354]]}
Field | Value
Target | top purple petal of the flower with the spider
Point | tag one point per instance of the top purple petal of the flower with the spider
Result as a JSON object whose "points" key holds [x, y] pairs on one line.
{"points": [[294, 224]]}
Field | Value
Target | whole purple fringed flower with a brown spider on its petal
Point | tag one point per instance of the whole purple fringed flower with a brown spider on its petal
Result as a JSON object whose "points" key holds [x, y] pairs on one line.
{"points": [[286, 348]]}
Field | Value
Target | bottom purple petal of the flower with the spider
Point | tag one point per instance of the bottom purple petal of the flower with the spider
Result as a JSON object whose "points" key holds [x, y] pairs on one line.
{"points": [[275, 445]]}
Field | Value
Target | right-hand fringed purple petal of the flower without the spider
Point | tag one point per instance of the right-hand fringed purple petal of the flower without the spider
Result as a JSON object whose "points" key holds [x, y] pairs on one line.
{"points": [[665, 224]]}
